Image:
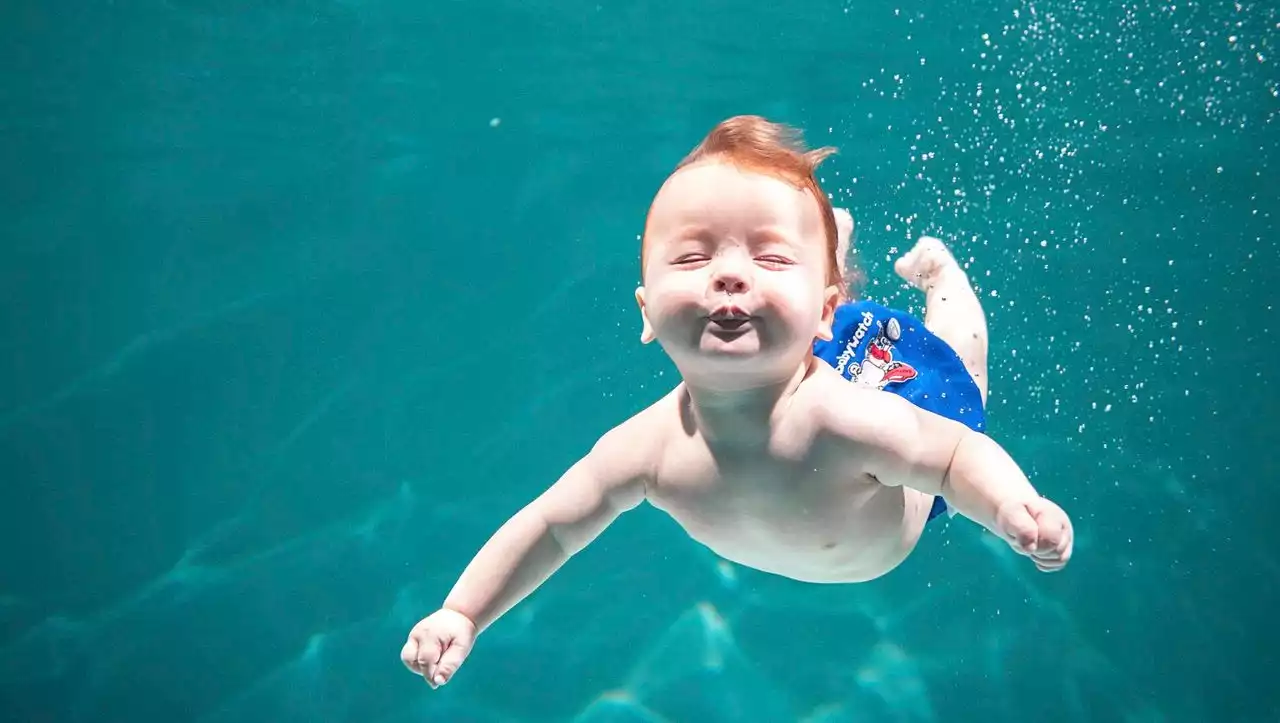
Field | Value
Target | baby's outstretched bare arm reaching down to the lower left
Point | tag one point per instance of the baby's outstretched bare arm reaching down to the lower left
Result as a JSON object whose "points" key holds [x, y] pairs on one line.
{"points": [[529, 548]]}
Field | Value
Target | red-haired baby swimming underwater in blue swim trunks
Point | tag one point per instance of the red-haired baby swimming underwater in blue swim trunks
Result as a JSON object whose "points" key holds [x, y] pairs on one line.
{"points": [[766, 452]]}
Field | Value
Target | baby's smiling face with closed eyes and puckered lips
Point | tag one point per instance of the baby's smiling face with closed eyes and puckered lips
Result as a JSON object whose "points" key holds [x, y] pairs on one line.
{"points": [[735, 273]]}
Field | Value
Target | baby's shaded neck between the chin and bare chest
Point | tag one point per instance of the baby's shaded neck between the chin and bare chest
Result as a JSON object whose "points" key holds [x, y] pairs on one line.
{"points": [[742, 414]]}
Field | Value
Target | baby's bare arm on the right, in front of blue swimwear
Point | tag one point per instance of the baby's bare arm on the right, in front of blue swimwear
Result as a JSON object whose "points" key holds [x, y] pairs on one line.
{"points": [[913, 449]]}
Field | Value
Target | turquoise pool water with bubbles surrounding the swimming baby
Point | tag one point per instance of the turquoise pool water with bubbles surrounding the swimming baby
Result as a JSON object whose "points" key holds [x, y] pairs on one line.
{"points": [[303, 300]]}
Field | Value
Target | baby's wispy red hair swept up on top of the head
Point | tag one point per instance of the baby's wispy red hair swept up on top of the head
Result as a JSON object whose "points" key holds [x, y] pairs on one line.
{"points": [[771, 149]]}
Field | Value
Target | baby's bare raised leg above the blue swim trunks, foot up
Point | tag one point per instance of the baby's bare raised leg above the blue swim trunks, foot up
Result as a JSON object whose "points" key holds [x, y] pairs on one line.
{"points": [[953, 310]]}
